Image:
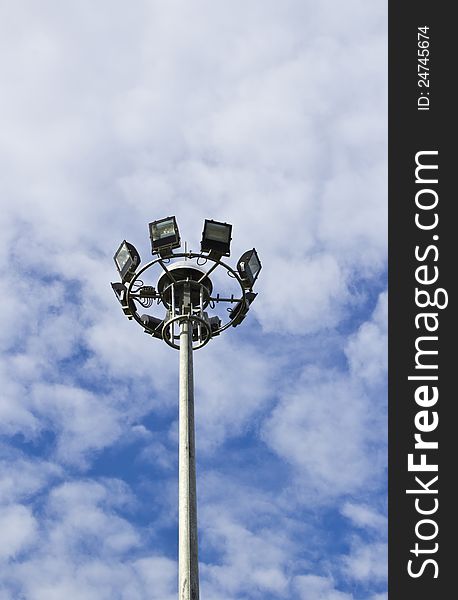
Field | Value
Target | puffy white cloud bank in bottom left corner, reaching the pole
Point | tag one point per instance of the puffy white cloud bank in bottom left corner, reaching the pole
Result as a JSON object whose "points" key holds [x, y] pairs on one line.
{"points": [[83, 546]]}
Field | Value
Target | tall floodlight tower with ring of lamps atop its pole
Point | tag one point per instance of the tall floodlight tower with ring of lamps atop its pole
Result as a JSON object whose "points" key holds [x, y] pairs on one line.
{"points": [[186, 293]]}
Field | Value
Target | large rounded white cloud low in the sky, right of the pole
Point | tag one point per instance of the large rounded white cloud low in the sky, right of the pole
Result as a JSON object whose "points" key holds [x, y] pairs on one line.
{"points": [[323, 428]]}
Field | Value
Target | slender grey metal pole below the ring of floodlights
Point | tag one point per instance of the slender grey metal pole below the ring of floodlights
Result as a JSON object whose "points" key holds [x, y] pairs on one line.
{"points": [[188, 566]]}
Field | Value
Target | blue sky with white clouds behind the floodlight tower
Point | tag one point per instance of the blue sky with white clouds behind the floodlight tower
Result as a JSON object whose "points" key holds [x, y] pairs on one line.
{"points": [[271, 116]]}
